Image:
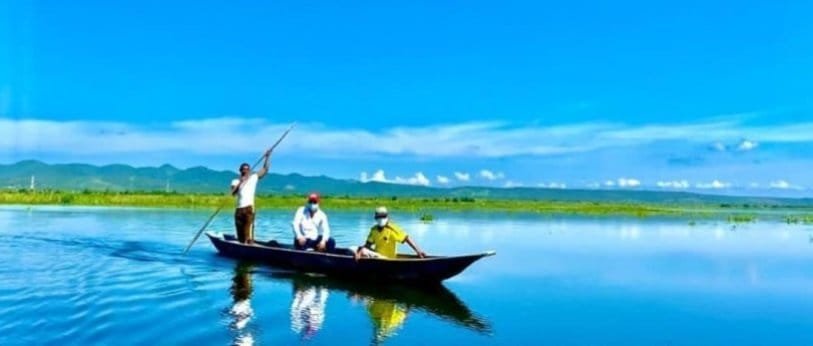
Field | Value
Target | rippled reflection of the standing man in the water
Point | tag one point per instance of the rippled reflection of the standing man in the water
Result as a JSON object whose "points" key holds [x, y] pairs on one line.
{"points": [[240, 311]]}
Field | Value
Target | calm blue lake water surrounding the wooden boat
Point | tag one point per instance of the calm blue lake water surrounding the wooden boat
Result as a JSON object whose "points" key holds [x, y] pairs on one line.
{"points": [[115, 276]]}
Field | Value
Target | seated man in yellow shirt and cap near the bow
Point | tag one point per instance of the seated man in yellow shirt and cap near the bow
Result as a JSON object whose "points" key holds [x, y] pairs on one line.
{"points": [[384, 238]]}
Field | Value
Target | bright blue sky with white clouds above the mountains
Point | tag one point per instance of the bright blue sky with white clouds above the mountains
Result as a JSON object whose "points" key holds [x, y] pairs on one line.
{"points": [[696, 95]]}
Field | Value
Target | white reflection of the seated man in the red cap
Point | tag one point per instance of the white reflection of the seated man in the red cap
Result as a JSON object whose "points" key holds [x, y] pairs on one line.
{"points": [[308, 310]]}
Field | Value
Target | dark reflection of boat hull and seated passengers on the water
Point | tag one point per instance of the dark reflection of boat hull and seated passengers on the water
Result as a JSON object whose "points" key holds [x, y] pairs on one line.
{"points": [[387, 305]]}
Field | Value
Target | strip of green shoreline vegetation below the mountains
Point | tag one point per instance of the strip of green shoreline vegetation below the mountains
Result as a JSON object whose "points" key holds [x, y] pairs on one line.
{"points": [[424, 206]]}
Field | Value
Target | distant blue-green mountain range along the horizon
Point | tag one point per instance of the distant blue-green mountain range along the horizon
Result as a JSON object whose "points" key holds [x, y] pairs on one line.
{"points": [[119, 177]]}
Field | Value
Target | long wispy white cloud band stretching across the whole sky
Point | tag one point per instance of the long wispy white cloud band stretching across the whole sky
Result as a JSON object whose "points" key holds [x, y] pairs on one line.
{"points": [[474, 139]]}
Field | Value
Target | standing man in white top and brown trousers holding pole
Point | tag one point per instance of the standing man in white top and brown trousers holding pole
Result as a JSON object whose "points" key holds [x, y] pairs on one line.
{"points": [[244, 189]]}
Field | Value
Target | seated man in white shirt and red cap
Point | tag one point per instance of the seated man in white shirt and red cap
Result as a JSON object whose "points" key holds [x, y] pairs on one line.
{"points": [[311, 229]]}
